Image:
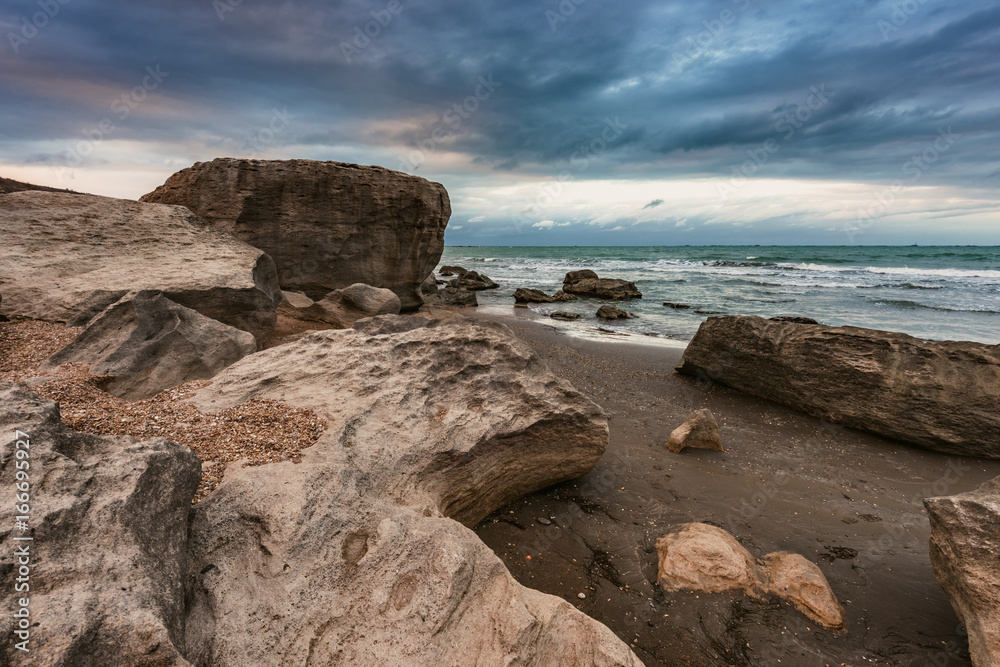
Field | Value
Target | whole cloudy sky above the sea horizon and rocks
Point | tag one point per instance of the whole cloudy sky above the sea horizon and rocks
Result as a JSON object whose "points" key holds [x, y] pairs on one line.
{"points": [[550, 122]]}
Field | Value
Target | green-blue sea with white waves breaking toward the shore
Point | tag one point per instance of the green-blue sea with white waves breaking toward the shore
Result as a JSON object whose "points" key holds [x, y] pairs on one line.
{"points": [[931, 292]]}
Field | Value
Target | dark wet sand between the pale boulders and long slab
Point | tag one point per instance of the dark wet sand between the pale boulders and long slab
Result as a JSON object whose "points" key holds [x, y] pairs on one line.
{"points": [[846, 500]]}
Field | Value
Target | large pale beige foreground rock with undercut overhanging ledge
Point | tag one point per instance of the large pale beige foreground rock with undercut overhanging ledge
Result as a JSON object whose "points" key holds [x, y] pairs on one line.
{"points": [[356, 555]]}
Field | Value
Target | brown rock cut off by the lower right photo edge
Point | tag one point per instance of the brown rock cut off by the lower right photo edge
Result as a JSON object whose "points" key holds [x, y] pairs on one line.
{"points": [[964, 543]]}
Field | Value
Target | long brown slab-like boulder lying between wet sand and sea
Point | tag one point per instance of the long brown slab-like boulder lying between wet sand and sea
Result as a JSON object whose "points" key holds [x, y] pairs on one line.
{"points": [[939, 395]]}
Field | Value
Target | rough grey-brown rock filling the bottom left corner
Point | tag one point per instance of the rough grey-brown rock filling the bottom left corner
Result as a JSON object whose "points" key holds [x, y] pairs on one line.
{"points": [[109, 518]]}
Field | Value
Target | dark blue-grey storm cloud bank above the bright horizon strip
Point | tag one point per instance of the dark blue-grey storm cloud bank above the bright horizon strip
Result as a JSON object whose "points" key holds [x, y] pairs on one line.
{"points": [[696, 85]]}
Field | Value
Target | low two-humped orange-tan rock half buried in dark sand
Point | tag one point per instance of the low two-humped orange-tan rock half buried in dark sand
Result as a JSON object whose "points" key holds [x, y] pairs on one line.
{"points": [[700, 557]]}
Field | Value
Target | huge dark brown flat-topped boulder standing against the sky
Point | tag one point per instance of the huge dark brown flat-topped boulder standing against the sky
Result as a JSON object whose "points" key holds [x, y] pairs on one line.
{"points": [[327, 225]]}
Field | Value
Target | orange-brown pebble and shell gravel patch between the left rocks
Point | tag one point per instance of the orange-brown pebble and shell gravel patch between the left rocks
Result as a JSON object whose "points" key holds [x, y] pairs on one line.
{"points": [[257, 431]]}
